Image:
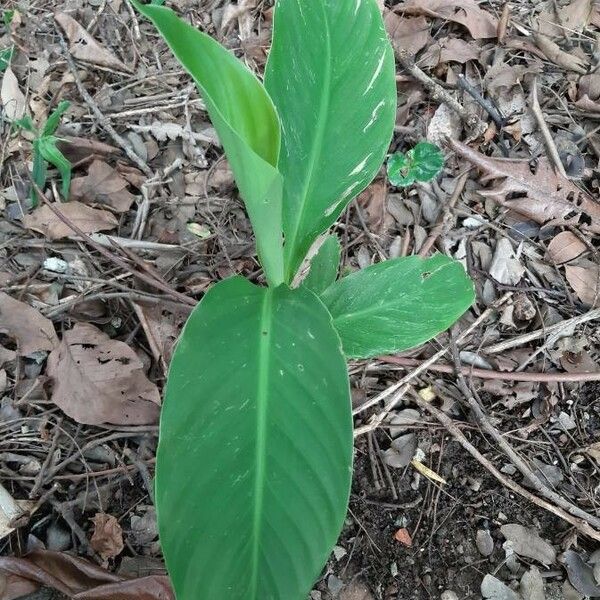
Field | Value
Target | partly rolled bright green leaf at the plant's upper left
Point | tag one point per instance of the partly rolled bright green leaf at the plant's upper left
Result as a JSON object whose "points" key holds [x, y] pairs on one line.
{"points": [[247, 124]]}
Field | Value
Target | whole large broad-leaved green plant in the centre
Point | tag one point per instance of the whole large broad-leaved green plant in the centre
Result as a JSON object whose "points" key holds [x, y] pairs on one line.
{"points": [[255, 451]]}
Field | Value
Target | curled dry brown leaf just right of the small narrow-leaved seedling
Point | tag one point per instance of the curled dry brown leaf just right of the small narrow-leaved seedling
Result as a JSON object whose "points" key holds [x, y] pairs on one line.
{"points": [[103, 185]]}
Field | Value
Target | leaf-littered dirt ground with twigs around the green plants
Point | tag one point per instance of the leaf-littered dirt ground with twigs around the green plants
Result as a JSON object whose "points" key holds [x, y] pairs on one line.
{"points": [[502, 499]]}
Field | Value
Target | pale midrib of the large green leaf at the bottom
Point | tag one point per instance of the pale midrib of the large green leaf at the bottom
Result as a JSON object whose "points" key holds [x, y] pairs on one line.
{"points": [[262, 400]]}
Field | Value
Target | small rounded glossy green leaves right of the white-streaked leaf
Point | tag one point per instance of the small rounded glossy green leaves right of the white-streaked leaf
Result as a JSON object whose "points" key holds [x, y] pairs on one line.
{"points": [[422, 163]]}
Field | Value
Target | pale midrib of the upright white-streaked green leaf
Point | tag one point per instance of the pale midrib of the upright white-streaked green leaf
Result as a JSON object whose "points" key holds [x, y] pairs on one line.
{"points": [[315, 151]]}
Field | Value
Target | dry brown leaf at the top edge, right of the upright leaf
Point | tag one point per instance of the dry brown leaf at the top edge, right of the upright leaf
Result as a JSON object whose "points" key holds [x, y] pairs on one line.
{"points": [[480, 23]]}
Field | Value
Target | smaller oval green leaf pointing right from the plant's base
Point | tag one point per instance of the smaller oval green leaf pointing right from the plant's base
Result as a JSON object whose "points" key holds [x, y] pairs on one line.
{"points": [[398, 304]]}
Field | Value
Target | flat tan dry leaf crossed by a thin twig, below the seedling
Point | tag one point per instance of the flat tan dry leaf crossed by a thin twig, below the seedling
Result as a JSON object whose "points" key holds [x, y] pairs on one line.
{"points": [[88, 219]]}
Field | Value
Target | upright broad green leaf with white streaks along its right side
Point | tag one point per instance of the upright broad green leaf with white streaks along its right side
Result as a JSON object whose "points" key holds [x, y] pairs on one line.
{"points": [[331, 76]]}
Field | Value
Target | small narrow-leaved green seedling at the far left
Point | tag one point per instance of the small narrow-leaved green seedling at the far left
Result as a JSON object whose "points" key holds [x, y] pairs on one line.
{"points": [[45, 151]]}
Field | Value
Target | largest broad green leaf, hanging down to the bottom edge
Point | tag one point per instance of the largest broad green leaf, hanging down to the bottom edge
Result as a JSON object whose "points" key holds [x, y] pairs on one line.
{"points": [[255, 452]]}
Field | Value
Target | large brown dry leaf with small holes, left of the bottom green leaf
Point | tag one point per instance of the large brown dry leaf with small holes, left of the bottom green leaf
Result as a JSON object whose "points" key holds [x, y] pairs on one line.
{"points": [[100, 380]]}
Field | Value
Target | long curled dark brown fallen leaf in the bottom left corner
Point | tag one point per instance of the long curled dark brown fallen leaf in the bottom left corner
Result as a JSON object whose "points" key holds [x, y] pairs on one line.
{"points": [[77, 578]]}
